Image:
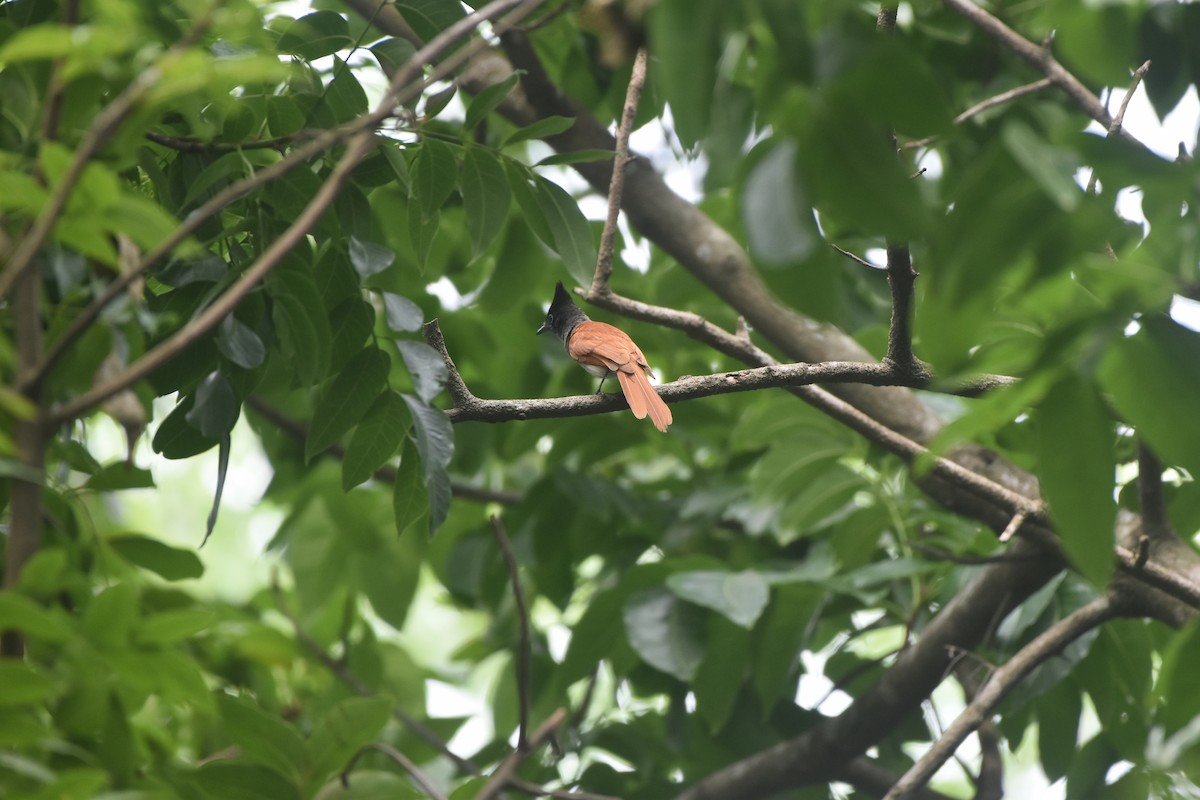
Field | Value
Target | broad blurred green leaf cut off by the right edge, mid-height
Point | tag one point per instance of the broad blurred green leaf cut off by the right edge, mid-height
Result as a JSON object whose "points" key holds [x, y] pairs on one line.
{"points": [[1155, 384]]}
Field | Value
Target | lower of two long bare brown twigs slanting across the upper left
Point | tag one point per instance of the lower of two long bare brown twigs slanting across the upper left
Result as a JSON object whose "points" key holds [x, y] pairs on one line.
{"points": [[357, 148]]}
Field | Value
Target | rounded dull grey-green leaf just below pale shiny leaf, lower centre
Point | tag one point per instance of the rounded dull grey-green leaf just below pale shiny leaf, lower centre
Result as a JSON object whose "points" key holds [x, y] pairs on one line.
{"points": [[667, 633]]}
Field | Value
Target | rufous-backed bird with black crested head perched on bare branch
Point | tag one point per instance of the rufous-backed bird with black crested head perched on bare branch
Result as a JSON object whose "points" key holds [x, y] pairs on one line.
{"points": [[603, 351]]}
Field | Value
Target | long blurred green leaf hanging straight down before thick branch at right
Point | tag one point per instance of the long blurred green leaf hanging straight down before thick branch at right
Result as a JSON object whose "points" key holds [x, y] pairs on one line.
{"points": [[1077, 473]]}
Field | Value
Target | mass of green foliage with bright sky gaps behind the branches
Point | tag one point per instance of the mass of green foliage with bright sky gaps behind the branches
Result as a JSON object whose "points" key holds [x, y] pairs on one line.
{"points": [[698, 597]]}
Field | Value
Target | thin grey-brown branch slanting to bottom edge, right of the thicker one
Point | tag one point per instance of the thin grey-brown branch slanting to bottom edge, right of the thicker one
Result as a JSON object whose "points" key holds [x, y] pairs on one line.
{"points": [[1003, 681]]}
